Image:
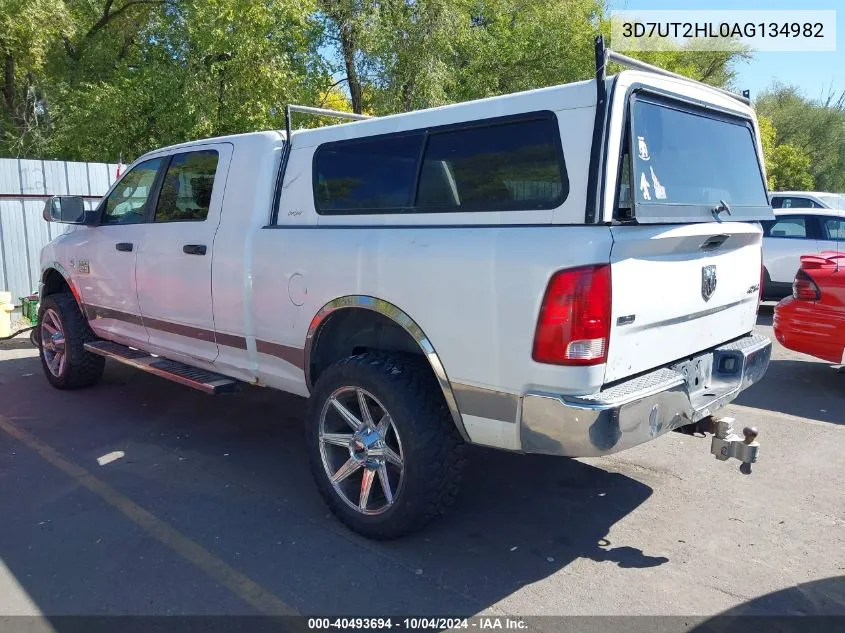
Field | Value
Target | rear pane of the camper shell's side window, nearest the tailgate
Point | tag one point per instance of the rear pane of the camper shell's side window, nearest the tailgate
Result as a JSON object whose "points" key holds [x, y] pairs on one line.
{"points": [[497, 167]]}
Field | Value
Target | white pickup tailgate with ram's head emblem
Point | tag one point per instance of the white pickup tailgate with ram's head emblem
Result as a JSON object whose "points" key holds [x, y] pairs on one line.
{"points": [[678, 290]]}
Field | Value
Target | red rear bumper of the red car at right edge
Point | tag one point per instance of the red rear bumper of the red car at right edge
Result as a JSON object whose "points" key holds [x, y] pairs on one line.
{"points": [[806, 327]]}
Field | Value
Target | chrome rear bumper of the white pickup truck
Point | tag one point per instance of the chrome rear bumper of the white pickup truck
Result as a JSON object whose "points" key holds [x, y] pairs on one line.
{"points": [[638, 410]]}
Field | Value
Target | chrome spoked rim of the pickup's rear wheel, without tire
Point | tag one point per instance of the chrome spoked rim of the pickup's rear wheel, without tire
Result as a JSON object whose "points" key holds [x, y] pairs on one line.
{"points": [[359, 446]]}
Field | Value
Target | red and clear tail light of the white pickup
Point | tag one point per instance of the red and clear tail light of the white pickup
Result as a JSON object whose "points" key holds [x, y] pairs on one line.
{"points": [[574, 323]]}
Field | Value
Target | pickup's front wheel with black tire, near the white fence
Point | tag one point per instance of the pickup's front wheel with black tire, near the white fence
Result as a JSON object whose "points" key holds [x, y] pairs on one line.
{"points": [[63, 333]]}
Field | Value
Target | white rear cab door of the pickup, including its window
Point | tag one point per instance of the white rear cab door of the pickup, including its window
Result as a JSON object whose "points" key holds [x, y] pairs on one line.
{"points": [[174, 262]]}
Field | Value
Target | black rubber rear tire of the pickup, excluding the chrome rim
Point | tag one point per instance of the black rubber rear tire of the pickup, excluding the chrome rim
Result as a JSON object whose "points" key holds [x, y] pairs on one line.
{"points": [[433, 449]]}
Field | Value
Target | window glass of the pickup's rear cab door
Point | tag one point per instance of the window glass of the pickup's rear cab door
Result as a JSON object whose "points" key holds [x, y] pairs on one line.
{"points": [[186, 190]]}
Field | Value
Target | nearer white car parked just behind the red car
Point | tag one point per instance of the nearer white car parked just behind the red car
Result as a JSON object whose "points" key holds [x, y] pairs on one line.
{"points": [[795, 232]]}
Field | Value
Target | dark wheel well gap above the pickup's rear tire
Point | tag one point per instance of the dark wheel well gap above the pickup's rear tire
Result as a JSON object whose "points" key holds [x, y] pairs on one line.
{"points": [[351, 331]]}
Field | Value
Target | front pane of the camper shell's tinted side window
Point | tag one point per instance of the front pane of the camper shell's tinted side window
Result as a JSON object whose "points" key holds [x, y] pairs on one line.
{"points": [[374, 175]]}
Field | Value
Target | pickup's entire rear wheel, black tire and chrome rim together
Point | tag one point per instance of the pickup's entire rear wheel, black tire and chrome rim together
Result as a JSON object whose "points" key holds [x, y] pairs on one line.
{"points": [[382, 446]]}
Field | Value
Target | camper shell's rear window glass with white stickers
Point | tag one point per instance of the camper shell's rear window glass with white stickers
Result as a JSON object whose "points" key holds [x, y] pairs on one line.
{"points": [[685, 163]]}
